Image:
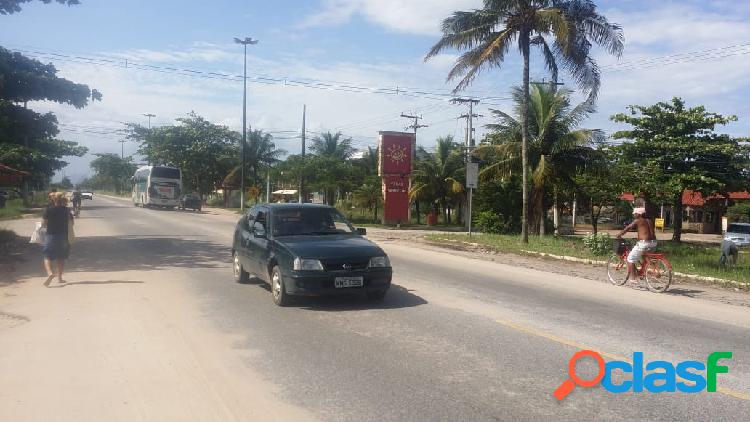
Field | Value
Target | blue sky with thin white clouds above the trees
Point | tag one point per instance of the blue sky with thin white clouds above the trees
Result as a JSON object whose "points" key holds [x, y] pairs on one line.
{"points": [[697, 50]]}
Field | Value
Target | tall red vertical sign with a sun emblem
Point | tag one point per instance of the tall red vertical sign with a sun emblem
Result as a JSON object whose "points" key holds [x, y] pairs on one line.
{"points": [[395, 159]]}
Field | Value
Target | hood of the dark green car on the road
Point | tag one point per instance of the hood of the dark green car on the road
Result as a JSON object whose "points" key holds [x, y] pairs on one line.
{"points": [[330, 246]]}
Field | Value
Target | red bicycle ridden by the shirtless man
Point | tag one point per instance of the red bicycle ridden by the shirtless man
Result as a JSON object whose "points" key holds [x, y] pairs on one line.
{"points": [[655, 268]]}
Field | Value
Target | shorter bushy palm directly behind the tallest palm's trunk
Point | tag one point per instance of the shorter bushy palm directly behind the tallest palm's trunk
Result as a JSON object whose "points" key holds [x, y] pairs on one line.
{"points": [[557, 146]]}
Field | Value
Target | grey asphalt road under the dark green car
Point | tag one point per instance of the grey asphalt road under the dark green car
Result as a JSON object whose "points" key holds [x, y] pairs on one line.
{"points": [[456, 339]]}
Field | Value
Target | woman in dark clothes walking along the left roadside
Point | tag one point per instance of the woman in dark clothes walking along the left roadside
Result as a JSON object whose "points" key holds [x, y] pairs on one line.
{"points": [[56, 219]]}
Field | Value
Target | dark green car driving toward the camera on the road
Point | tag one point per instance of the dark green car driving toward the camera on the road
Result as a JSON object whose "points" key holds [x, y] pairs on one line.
{"points": [[307, 250]]}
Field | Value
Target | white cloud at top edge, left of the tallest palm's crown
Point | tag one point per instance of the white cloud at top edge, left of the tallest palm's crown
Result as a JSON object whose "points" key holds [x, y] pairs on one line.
{"points": [[414, 17]]}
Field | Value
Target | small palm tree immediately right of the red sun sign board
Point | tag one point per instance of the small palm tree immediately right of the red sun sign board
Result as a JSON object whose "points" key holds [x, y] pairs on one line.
{"points": [[435, 175]]}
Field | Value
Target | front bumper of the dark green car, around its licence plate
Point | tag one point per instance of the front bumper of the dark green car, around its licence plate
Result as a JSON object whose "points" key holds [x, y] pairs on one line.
{"points": [[321, 283]]}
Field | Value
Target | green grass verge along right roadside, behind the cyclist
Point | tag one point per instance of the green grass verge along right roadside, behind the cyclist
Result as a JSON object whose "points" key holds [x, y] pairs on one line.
{"points": [[688, 258]]}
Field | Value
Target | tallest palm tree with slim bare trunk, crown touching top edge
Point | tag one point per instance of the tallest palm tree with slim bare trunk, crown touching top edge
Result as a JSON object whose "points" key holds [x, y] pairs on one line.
{"points": [[563, 30]]}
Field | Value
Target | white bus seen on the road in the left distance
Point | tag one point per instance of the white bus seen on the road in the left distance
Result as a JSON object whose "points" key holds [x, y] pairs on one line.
{"points": [[159, 186]]}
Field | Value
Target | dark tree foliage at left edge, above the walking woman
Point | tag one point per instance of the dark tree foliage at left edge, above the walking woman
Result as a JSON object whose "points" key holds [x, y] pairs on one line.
{"points": [[29, 140]]}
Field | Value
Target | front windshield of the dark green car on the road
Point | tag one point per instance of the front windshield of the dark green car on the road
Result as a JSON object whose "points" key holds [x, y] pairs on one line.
{"points": [[309, 221]]}
